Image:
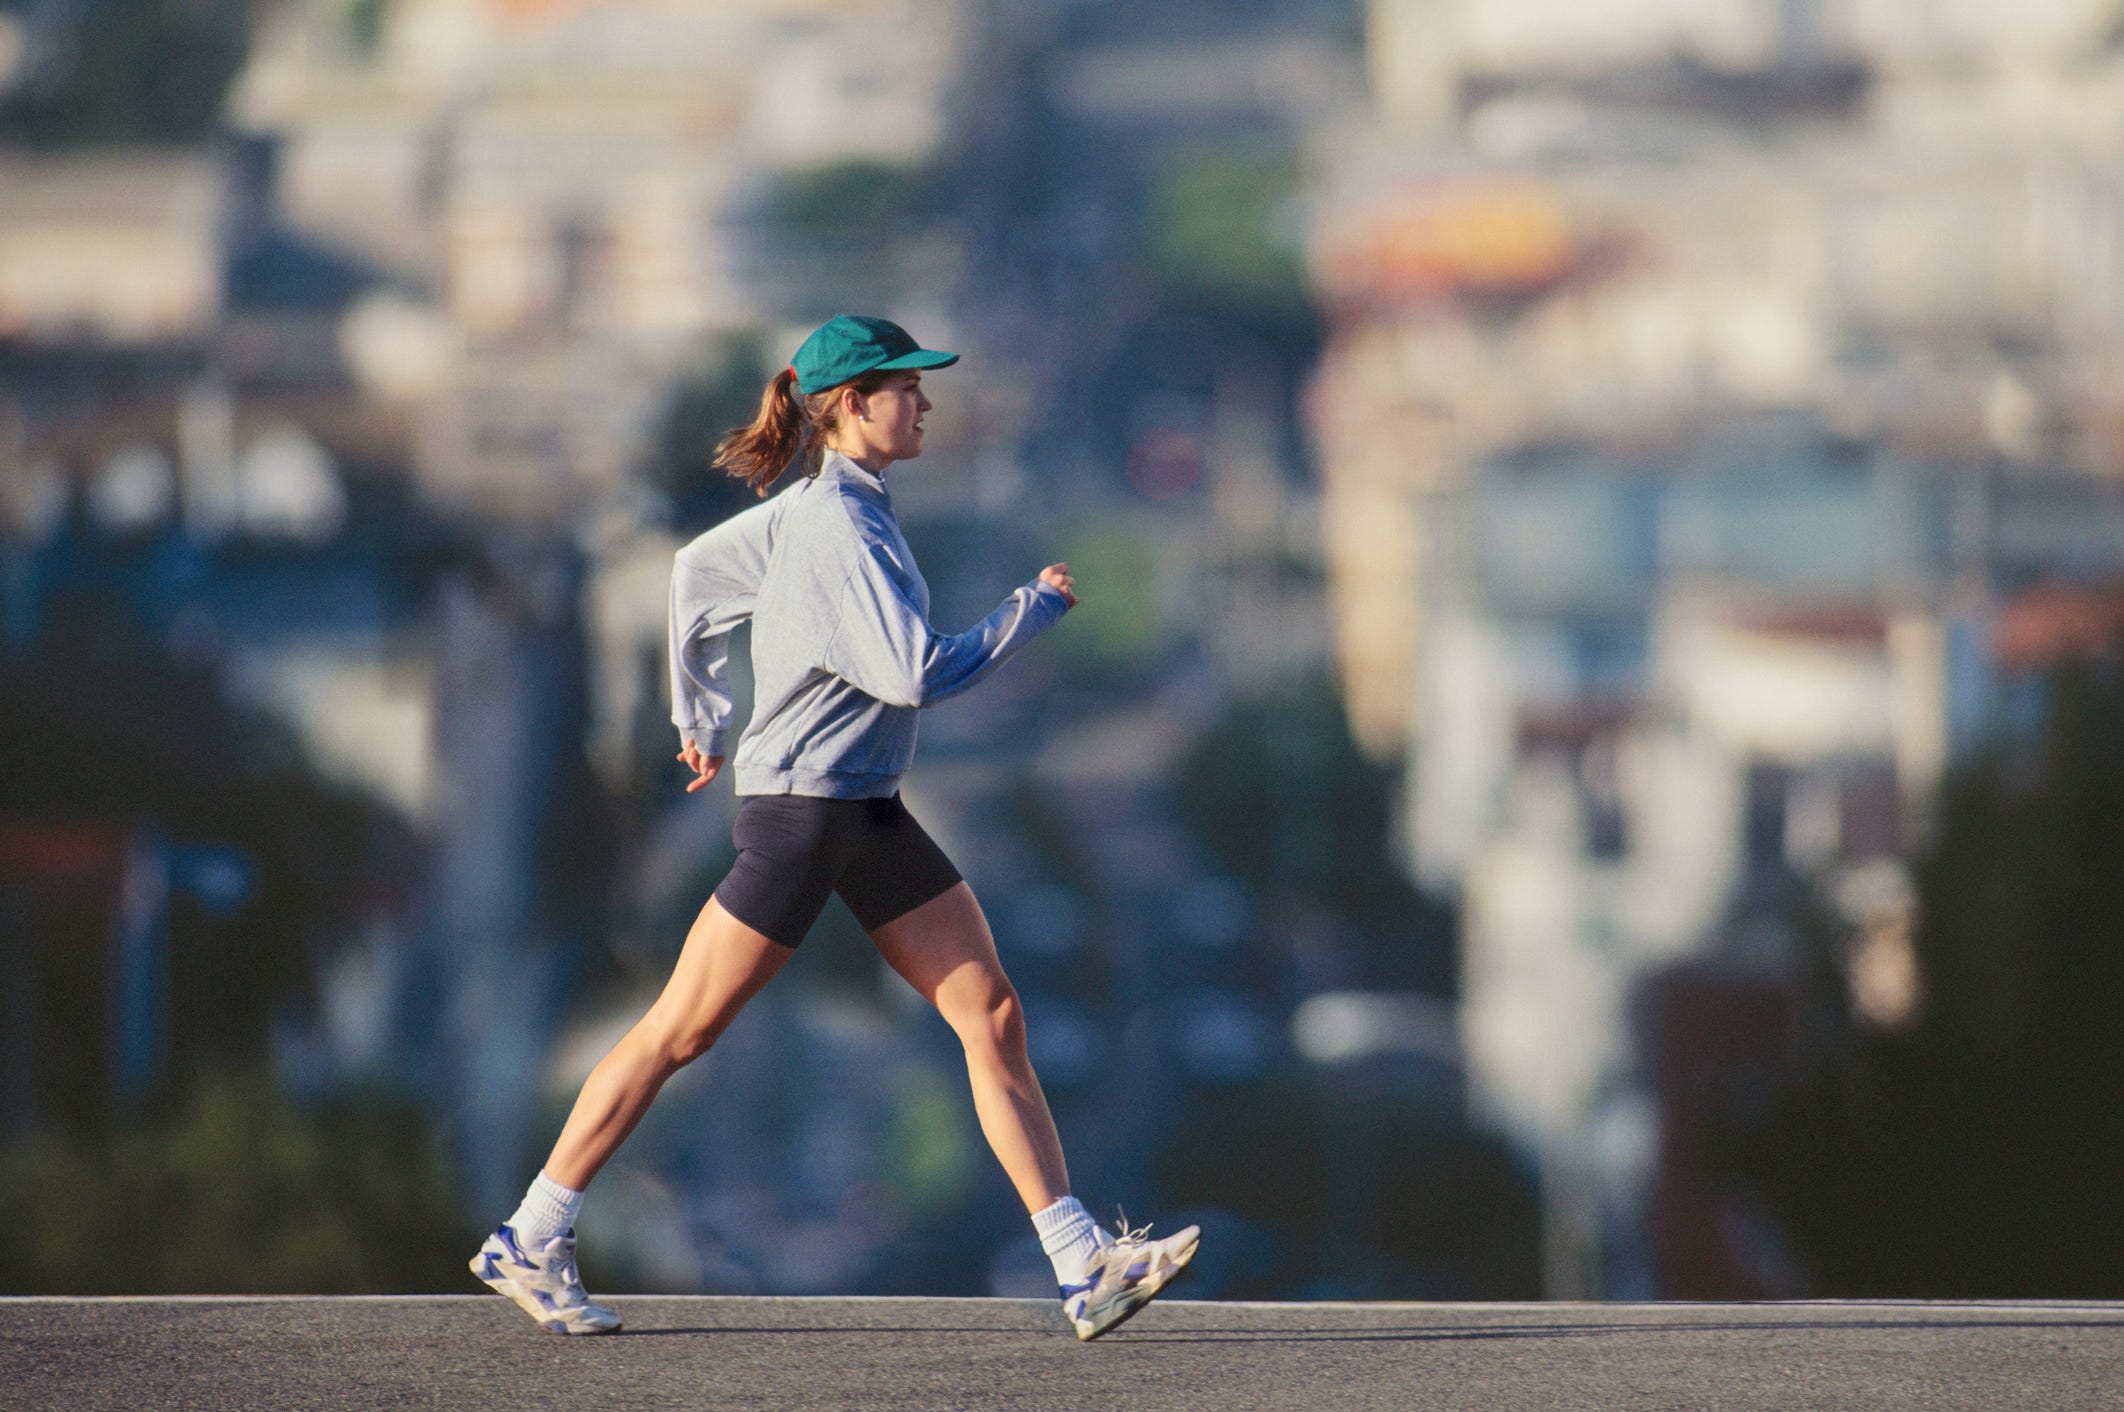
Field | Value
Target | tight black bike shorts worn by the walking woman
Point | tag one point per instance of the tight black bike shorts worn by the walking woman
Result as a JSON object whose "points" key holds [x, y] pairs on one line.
{"points": [[795, 848]]}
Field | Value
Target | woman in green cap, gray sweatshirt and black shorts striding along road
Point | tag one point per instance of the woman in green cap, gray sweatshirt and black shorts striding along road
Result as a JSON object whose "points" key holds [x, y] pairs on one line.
{"points": [[844, 657]]}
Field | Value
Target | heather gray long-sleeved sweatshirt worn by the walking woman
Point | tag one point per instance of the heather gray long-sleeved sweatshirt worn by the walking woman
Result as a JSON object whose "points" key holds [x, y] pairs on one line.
{"points": [[842, 649]]}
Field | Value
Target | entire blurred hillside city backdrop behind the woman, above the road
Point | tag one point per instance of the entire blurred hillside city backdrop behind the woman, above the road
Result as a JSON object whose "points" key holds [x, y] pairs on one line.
{"points": [[1592, 763]]}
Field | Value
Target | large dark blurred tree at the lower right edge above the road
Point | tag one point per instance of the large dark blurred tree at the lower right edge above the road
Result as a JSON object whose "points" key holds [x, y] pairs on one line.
{"points": [[1976, 1154]]}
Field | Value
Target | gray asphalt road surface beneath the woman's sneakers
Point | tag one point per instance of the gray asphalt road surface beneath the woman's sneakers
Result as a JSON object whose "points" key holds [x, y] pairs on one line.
{"points": [[479, 1351]]}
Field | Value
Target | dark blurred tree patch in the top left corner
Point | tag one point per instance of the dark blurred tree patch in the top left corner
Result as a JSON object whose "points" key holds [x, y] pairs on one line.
{"points": [[133, 73]]}
